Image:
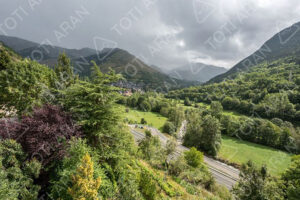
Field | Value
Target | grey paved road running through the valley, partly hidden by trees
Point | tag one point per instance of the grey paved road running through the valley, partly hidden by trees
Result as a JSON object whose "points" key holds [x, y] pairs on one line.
{"points": [[224, 174]]}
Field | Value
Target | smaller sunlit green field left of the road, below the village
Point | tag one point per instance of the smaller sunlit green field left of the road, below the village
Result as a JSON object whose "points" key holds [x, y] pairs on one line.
{"points": [[153, 119]]}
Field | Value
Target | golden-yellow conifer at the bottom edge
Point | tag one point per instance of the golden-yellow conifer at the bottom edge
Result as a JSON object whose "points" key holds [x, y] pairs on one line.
{"points": [[84, 185]]}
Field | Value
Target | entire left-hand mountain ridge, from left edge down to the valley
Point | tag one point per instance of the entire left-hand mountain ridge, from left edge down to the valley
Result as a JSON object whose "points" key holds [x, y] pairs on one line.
{"points": [[133, 69]]}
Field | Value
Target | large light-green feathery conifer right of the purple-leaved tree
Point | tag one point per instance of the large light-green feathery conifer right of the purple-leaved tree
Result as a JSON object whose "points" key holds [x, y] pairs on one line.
{"points": [[93, 106]]}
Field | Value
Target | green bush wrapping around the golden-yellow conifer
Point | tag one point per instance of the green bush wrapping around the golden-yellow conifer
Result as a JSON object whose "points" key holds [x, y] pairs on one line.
{"points": [[61, 179]]}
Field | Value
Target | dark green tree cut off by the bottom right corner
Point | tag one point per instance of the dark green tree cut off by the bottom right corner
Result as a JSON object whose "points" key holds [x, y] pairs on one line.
{"points": [[291, 179]]}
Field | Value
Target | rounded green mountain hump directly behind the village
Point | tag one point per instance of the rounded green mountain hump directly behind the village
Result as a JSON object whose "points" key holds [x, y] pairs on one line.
{"points": [[132, 69]]}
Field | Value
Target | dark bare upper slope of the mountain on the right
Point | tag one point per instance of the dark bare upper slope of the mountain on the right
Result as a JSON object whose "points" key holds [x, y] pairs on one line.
{"points": [[285, 43]]}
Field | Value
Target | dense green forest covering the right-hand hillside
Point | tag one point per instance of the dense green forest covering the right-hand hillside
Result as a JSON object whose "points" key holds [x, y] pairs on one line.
{"points": [[268, 90]]}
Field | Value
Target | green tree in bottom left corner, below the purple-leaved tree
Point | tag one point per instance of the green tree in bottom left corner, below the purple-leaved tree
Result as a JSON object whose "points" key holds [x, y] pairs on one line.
{"points": [[16, 173]]}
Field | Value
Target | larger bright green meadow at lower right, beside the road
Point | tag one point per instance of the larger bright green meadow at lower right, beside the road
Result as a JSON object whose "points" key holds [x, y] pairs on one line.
{"points": [[238, 151]]}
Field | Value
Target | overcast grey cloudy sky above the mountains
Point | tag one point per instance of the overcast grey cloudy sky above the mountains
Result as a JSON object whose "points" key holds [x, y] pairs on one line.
{"points": [[165, 33]]}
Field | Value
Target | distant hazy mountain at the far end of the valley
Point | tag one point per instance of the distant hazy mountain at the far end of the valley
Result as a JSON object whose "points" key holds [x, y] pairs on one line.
{"points": [[197, 72]]}
